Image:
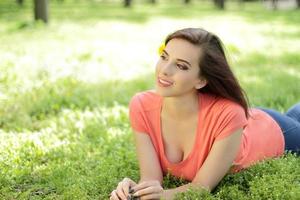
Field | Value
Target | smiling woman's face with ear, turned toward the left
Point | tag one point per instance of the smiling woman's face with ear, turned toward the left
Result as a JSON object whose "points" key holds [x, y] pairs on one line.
{"points": [[177, 70]]}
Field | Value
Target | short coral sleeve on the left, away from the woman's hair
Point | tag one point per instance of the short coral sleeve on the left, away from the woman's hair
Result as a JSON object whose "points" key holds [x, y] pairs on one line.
{"points": [[136, 115]]}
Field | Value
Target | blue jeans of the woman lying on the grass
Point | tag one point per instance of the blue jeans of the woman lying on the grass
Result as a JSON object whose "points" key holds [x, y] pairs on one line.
{"points": [[290, 126]]}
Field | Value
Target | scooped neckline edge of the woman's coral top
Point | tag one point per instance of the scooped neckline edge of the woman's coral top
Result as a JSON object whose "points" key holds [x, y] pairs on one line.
{"points": [[163, 155]]}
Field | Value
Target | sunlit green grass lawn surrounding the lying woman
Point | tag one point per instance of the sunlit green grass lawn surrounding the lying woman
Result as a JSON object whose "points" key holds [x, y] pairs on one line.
{"points": [[65, 88]]}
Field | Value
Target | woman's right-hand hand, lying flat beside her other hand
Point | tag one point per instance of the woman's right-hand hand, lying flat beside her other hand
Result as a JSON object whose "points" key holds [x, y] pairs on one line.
{"points": [[148, 190]]}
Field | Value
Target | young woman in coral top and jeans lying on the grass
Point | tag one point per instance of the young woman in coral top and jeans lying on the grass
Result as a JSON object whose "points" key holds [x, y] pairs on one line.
{"points": [[196, 124]]}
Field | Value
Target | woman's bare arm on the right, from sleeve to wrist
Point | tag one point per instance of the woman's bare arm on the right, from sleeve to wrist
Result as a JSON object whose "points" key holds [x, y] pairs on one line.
{"points": [[215, 167]]}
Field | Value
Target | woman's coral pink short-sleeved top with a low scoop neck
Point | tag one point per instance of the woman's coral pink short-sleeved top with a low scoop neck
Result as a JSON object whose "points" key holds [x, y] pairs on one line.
{"points": [[217, 119]]}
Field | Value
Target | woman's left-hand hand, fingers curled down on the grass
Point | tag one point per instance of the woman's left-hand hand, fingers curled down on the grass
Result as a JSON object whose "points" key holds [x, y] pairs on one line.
{"points": [[122, 191]]}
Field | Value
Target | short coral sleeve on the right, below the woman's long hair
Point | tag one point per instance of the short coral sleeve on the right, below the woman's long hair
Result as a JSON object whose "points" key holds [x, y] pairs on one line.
{"points": [[231, 118]]}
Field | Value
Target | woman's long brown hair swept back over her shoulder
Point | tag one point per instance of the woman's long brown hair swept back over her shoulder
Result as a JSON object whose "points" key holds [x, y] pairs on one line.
{"points": [[213, 65]]}
